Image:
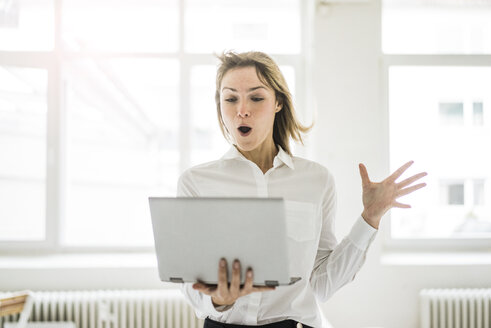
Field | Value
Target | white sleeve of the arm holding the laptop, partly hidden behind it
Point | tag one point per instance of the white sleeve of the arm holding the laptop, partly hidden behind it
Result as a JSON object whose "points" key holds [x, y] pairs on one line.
{"points": [[201, 303]]}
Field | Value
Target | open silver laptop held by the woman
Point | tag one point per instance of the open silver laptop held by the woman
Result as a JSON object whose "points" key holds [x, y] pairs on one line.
{"points": [[193, 234]]}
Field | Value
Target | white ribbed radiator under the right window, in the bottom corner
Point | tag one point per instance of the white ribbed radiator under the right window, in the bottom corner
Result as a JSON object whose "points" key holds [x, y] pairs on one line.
{"points": [[455, 308]]}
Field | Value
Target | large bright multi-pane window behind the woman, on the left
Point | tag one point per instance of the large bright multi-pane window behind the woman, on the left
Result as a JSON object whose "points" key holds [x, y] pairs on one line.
{"points": [[104, 103]]}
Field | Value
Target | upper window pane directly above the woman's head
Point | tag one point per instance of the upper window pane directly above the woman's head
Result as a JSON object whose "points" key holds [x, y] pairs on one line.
{"points": [[272, 26]]}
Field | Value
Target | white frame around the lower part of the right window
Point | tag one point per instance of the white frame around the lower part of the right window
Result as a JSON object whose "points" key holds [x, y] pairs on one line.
{"points": [[425, 244]]}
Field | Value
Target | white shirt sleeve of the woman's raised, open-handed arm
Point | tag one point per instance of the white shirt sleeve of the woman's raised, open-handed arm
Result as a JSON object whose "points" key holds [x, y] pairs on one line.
{"points": [[337, 264]]}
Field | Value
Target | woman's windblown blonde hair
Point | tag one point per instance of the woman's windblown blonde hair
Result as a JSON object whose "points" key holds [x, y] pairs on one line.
{"points": [[286, 124]]}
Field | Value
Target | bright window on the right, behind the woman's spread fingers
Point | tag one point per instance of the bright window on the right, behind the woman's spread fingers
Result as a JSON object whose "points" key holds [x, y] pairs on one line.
{"points": [[437, 75]]}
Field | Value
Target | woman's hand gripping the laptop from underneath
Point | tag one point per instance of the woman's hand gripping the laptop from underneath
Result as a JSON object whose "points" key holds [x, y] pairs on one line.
{"points": [[225, 294]]}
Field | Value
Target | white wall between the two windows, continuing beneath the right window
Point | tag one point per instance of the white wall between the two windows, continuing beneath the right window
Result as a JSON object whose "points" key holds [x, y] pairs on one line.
{"points": [[351, 128]]}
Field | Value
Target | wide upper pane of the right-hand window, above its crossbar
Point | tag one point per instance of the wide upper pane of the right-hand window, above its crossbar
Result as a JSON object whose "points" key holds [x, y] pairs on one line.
{"points": [[443, 27]]}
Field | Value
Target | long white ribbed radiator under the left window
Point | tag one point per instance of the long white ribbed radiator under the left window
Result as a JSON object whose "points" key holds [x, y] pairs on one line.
{"points": [[164, 308]]}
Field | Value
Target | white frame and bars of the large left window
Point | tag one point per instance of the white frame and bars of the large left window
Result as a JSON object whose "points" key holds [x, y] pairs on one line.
{"points": [[56, 173]]}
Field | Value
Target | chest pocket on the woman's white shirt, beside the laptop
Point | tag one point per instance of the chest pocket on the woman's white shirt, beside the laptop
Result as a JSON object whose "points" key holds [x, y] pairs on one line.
{"points": [[300, 218]]}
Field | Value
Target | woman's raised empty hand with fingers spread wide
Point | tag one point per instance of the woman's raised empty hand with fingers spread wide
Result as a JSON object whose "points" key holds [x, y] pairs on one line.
{"points": [[379, 197]]}
